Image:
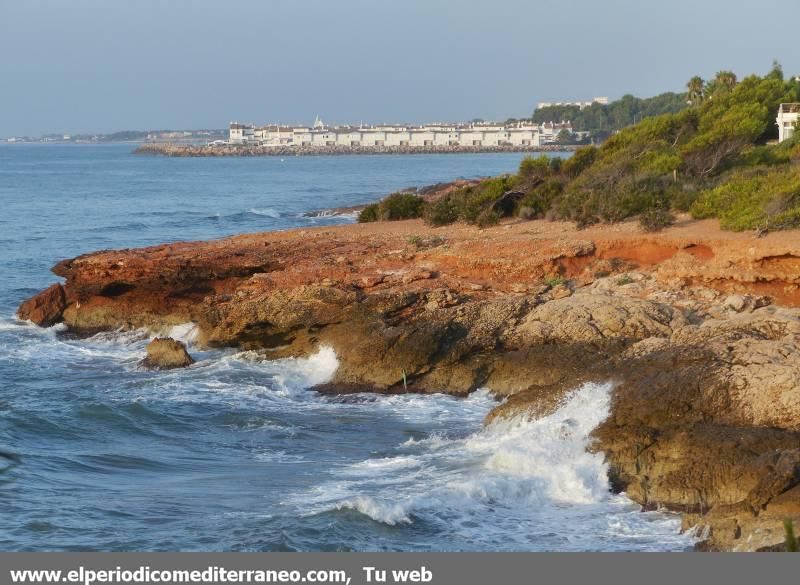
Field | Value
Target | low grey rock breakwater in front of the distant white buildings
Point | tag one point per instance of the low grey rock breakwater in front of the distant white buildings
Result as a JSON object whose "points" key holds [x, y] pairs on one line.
{"points": [[192, 150]]}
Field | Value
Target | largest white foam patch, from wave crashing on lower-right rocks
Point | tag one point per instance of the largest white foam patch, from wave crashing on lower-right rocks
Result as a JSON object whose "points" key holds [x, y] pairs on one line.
{"points": [[515, 484]]}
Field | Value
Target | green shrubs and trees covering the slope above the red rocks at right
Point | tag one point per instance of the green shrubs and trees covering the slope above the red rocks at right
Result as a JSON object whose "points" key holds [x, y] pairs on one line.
{"points": [[717, 158]]}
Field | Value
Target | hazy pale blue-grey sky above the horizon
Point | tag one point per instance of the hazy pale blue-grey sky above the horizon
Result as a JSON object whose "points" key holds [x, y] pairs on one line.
{"points": [[84, 66]]}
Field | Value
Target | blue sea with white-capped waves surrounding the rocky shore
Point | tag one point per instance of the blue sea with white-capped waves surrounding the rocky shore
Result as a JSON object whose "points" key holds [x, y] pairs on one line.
{"points": [[235, 453]]}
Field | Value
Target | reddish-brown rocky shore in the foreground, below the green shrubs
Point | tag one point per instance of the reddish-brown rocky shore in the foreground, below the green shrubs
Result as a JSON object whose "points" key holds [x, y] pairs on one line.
{"points": [[699, 330]]}
